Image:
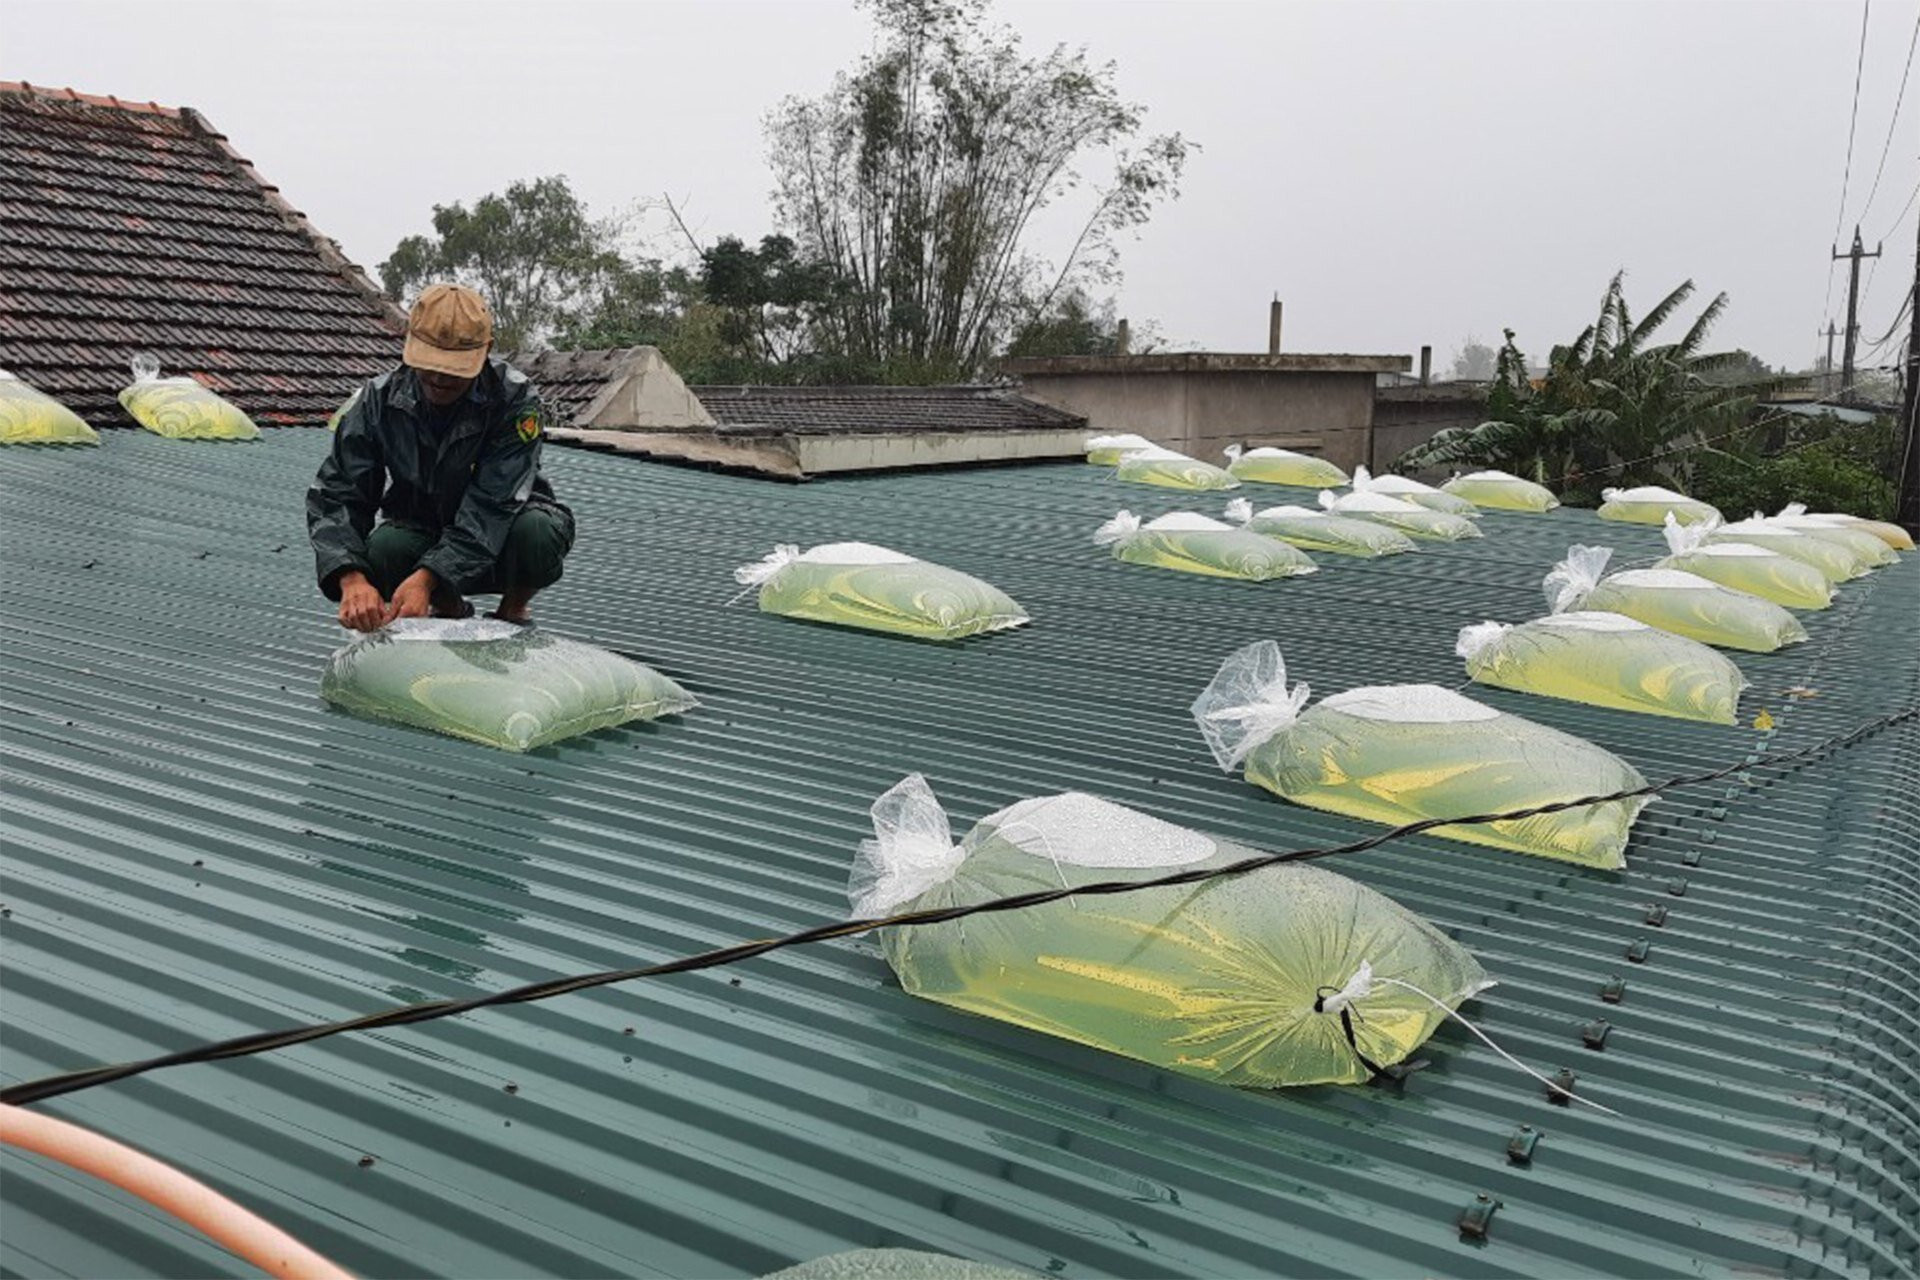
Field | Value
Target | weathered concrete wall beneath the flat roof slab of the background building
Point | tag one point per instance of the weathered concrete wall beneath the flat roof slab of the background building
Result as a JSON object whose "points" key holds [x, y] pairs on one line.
{"points": [[1205, 412]]}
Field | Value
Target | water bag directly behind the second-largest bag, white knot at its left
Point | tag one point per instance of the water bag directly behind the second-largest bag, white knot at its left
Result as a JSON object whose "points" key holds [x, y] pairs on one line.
{"points": [[1606, 661]]}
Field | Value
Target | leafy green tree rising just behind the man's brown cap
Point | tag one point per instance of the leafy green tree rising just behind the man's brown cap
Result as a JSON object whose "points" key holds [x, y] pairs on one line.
{"points": [[531, 250]]}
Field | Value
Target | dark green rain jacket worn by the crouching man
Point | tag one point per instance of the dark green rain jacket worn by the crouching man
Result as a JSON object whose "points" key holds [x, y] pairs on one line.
{"points": [[468, 486]]}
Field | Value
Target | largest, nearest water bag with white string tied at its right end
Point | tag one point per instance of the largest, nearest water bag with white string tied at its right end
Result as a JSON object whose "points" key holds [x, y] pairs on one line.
{"points": [[1228, 980]]}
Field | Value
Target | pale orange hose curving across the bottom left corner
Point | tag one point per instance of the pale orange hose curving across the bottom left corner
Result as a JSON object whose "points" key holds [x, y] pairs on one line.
{"points": [[168, 1189]]}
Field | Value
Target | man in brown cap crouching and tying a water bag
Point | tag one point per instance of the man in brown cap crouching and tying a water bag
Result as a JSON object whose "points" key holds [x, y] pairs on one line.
{"points": [[446, 452]]}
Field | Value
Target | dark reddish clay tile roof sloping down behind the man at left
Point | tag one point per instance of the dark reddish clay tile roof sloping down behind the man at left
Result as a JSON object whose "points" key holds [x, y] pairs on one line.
{"points": [[133, 227]]}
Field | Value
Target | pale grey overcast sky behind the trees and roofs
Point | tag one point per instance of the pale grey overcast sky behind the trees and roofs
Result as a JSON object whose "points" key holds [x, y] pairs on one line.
{"points": [[1399, 174]]}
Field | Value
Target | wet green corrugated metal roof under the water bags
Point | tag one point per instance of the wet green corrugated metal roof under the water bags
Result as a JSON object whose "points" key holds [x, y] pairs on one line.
{"points": [[197, 849]]}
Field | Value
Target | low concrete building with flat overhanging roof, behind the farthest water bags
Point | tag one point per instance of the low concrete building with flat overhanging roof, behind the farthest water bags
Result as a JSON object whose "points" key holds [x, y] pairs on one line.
{"points": [[1201, 402]]}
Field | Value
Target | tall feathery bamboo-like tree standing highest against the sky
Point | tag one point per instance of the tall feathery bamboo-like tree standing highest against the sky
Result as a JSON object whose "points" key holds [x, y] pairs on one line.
{"points": [[923, 176]]}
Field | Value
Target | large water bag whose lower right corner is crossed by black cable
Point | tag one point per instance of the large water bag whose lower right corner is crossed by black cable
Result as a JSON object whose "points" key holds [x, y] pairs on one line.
{"points": [[1406, 753]]}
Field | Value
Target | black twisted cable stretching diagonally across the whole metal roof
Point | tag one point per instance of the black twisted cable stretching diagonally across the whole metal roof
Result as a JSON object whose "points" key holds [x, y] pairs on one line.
{"points": [[431, 1010]]}
